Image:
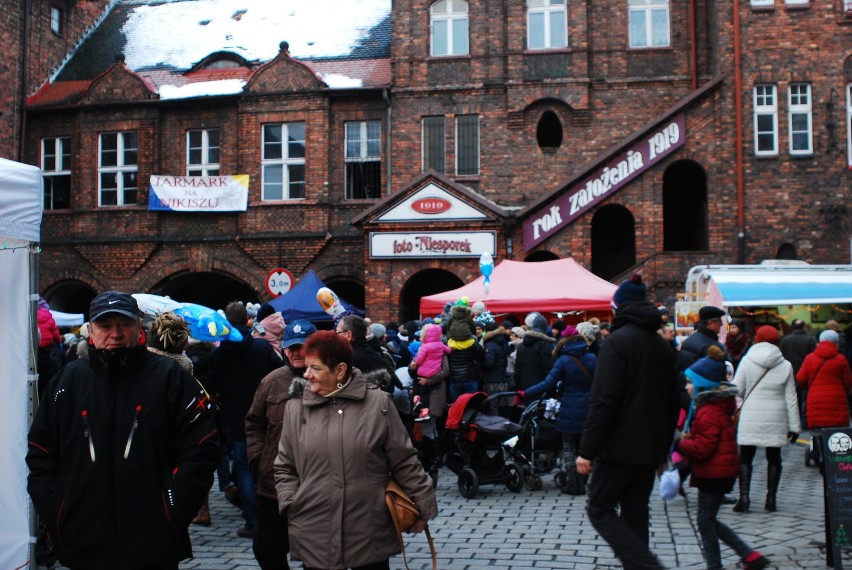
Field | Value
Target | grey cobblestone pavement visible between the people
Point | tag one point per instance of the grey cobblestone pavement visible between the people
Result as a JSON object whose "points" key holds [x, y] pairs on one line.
{"points": [[546, 529]]}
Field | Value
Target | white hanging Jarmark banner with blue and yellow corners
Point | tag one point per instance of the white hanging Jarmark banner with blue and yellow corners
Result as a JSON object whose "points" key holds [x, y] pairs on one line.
{"points": [[198, 193]]}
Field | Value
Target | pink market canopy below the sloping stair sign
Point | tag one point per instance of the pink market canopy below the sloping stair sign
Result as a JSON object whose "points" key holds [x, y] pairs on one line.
{"points": [[518, 287]]}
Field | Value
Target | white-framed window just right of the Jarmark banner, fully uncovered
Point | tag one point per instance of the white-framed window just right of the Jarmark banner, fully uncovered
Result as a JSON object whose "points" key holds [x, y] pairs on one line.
{"points": [[283, 161]]}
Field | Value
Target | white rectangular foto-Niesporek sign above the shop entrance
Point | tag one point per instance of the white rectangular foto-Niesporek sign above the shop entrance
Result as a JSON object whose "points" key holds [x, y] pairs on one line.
{"points": [[431, 244]]}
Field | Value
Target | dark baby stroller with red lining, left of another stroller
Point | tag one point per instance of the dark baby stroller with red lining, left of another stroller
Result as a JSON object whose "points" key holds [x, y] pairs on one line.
{"points": [[474, 446]]}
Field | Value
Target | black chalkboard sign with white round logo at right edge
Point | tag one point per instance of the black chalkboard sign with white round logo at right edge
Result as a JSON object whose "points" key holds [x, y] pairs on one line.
{"points": [[837, 454]]}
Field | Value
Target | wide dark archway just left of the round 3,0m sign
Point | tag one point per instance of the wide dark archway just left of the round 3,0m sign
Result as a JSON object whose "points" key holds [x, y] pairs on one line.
{"points": [[214, 290]]}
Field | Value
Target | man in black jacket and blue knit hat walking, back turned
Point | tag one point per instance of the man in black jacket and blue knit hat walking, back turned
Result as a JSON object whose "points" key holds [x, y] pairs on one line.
{"points": [[630, 425]]}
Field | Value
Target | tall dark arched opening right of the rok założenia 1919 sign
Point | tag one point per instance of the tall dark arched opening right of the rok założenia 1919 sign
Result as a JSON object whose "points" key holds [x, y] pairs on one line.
{"points": [[685, 207]]}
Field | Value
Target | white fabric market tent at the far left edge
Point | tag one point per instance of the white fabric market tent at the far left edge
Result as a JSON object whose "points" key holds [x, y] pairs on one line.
{"points": [[20, 219]]}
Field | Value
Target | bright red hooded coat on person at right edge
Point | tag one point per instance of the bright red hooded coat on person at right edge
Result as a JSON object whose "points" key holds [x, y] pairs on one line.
{"points": [[825, 373]]}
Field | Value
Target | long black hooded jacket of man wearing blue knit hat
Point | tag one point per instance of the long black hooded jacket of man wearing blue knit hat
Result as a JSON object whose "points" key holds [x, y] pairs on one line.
{"points": [[635, 398]]}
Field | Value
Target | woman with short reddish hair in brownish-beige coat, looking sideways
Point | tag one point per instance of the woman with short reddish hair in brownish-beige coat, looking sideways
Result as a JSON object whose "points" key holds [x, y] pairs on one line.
{"points": [[340, 444]]}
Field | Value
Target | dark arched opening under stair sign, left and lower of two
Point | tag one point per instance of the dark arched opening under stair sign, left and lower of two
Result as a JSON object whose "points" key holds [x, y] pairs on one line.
{"points": [[613, 241]]}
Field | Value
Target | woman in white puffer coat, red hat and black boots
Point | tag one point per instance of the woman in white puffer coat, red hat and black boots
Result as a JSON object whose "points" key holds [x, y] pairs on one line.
{"points": [[769, 416]]}
